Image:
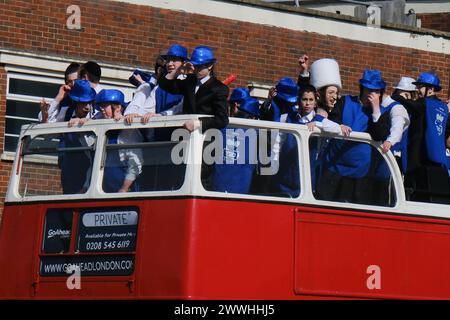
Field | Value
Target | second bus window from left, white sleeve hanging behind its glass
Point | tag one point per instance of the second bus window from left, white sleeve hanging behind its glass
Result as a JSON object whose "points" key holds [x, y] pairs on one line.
{"points": [[139, 160]]}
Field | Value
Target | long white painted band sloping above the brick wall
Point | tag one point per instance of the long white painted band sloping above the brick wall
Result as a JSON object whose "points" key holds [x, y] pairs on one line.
{"points": [[299, 22]]}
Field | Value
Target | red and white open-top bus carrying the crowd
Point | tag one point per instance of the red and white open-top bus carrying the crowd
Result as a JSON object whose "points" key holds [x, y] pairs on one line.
{"points": [[193, 228]]}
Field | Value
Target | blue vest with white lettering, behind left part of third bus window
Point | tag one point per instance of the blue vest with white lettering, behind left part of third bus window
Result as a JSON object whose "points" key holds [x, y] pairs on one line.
{"points": [[235, 174]]}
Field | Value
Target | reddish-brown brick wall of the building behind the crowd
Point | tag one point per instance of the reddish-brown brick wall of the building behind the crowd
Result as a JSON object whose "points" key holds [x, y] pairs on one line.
{"points": [[121, 33]]}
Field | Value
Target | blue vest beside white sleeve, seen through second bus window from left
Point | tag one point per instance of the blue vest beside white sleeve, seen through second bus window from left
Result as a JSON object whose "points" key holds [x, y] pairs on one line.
{"points": [[115, 170]]}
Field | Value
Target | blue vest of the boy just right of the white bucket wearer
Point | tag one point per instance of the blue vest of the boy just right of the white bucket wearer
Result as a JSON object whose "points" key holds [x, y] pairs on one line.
{"points": [[348, 158]]}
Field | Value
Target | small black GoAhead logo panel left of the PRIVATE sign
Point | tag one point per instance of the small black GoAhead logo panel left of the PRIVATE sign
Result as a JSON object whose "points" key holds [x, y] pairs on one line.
{"points": [[57, 230]]}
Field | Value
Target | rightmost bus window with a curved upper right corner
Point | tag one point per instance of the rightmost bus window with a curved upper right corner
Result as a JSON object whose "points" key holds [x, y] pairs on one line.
{"points": [[349, 171]]}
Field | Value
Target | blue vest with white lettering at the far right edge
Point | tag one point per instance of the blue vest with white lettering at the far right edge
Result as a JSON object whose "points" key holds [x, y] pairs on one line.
{"points": [[436, 117]]}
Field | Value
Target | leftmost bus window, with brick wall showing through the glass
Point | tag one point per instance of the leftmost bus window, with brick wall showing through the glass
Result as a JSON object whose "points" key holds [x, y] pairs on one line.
{"points": [[56, 164]]}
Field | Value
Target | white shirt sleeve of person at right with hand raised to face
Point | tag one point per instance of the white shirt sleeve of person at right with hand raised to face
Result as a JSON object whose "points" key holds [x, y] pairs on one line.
{"points": [[399, 120]]}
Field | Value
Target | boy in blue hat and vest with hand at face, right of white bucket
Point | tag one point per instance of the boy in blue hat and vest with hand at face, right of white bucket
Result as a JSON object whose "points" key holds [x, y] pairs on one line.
{"points": [[346, 163]]}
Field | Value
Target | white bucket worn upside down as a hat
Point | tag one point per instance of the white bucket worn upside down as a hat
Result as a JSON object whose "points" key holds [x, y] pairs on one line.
{"points": [[325, 72]]}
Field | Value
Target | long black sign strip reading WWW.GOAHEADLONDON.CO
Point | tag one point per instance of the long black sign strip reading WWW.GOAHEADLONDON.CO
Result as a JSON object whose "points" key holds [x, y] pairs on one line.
{"points": [[91, 265]]}
